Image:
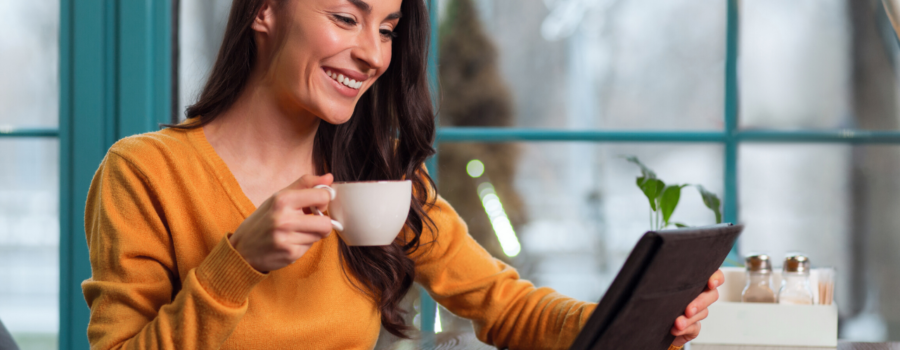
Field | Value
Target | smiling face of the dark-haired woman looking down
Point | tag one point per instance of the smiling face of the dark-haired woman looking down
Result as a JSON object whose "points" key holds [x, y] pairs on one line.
{"points": [[332, 52]]}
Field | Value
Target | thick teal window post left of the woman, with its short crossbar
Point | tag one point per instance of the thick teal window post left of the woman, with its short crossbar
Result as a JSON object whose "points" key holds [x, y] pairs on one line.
{"points": [[115, 80]]}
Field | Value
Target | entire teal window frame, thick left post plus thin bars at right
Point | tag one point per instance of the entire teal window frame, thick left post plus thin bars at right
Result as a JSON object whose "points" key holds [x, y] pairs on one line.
{"points": [[109, 70]]}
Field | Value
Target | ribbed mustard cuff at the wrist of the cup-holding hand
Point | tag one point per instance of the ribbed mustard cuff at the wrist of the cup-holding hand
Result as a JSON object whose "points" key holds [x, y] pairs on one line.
{"points": [[226, 275]]}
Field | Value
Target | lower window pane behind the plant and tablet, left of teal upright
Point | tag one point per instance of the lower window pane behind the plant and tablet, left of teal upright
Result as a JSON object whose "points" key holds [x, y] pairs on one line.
{"points": [[575, 207]]}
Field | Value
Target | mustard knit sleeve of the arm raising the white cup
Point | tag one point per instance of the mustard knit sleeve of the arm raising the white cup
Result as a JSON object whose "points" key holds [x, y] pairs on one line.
{"points": [[136, 297]]}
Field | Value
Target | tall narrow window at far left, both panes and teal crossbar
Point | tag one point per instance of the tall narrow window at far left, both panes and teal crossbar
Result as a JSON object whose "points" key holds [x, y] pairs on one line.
{"points": [[29, 179]]}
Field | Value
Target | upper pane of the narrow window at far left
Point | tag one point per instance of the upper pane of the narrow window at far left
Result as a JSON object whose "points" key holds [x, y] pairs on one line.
{"points": [[29, 89]]}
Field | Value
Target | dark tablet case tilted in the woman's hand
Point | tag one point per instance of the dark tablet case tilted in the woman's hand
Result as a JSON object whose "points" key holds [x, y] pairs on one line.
{"points": [[665, 271]]}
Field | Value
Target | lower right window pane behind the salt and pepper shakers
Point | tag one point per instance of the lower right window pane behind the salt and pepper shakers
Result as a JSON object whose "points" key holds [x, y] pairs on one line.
{"points": [[838, 204]]}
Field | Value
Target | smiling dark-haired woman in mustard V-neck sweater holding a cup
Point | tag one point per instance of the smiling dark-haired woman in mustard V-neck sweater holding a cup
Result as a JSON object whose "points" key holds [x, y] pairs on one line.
{"points": [[200, 234]]}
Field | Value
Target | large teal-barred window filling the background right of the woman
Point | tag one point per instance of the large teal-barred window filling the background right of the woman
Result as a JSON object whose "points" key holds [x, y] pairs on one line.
{"points": [[562, 89]]}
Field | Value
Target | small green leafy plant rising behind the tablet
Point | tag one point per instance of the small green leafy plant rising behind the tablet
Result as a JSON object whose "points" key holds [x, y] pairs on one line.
{"points": [[664, 198]]}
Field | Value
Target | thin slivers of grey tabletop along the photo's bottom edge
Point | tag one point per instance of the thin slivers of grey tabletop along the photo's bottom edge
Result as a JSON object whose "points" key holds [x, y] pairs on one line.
{"points": [[467, 340]]}
